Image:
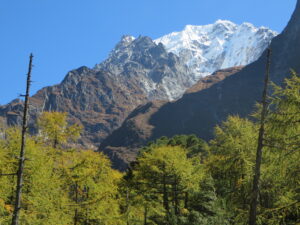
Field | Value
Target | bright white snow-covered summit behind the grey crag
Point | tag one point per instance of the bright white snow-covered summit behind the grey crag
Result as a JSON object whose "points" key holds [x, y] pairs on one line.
{"points": [[223, 44]]}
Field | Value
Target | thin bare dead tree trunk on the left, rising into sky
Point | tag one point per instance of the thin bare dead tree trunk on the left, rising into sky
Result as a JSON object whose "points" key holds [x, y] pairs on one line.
{"points": [[15, 218]]}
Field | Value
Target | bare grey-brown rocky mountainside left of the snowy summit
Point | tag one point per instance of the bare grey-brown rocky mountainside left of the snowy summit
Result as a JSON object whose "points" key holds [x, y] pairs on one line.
{"points": [[101, 98]]}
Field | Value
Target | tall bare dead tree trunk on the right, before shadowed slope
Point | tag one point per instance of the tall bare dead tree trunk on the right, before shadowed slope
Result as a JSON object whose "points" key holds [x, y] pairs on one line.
{"points": [[260, 145]]}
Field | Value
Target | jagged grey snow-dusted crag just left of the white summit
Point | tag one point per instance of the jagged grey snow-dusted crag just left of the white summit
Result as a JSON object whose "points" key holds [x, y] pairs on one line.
{"points": [[161, 75]]}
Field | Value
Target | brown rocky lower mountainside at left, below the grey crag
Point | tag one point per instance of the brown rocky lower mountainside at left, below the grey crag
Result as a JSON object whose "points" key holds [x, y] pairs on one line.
{"points": [[91, 99]]}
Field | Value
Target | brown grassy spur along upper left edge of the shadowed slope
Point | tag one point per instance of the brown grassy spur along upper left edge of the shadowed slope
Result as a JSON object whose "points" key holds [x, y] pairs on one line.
{"points": [[123, 144]]}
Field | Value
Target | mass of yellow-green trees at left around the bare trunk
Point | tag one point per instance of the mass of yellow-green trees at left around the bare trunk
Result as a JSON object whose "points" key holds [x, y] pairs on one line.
{"points": [[50, 175]]}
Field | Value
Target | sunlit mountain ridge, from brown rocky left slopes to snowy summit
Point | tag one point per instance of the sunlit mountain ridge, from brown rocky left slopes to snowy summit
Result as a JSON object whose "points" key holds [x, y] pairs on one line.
{"points": [[139, 70]]}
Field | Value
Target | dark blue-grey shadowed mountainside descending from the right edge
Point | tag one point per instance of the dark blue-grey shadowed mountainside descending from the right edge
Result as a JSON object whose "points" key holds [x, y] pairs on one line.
{"points": [[198, 111]]}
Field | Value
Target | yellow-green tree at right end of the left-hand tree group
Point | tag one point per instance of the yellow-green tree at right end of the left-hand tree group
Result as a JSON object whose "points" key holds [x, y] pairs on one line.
{"points": [[92, 186]]}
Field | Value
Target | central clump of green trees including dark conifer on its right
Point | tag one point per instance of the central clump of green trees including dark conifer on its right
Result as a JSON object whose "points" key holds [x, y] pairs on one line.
{"points": [[173, 185]]}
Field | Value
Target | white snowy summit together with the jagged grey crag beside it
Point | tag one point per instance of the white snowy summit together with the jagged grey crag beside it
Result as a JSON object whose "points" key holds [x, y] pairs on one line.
{"points": [[166, 67]]}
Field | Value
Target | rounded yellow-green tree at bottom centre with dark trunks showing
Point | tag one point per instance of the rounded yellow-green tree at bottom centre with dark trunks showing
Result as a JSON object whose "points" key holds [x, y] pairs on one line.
{"points": [[165, 175]]}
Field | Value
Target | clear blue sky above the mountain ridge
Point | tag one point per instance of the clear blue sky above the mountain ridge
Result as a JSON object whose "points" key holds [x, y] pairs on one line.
{"points": [[66, 34]]}
